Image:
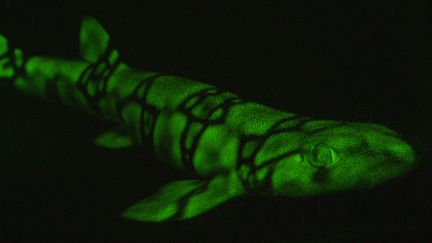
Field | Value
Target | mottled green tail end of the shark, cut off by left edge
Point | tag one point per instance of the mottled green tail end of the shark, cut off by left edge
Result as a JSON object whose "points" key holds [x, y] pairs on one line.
{"points": [[11, 60]]}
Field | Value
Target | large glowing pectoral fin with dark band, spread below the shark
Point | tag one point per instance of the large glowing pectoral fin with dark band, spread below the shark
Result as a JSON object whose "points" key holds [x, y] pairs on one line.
{"points": [[185, 199]]}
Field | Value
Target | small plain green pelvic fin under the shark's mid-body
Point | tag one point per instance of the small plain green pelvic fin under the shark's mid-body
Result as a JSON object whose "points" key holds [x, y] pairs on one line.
{"points": [[114, 139]]}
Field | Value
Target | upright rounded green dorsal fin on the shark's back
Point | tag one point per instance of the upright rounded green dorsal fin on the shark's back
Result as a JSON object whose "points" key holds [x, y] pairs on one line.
{"points": [[94, 39]]}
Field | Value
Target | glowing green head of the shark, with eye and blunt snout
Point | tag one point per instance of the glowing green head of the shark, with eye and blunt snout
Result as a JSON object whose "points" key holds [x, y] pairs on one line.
{"points": [[330, 156]]}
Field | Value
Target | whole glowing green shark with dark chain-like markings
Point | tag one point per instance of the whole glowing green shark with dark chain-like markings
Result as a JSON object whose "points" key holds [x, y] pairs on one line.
{"points": [[230, 146]]}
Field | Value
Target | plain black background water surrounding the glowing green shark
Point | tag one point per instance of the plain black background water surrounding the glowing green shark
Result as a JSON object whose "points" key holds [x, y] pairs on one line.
{"points": [[345, 60]]}
